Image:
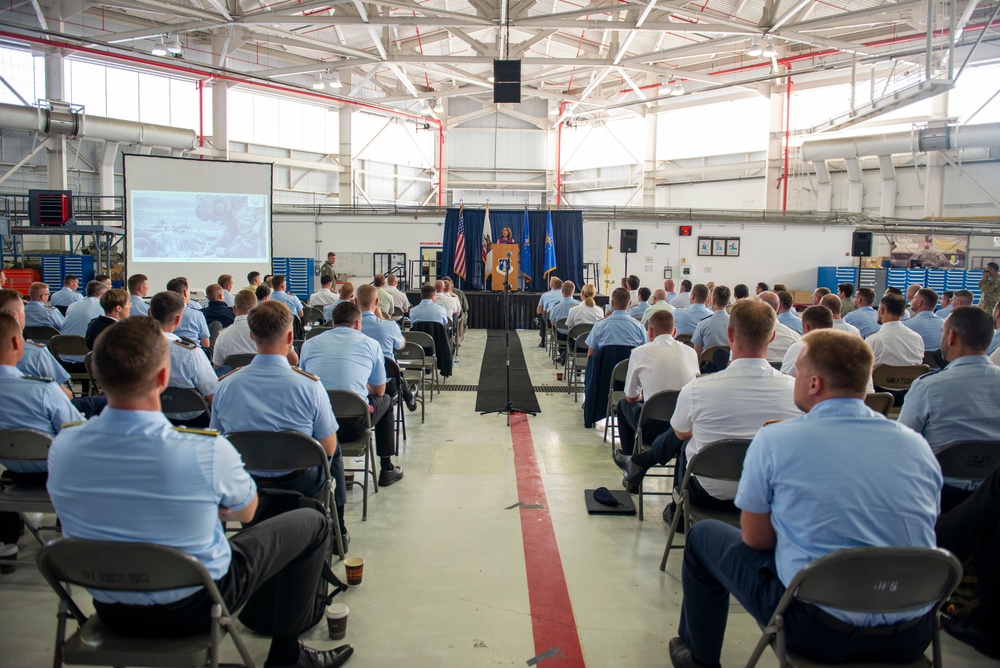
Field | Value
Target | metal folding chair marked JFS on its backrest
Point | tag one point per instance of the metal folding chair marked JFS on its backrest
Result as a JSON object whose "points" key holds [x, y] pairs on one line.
{"points": [[867, 580]]}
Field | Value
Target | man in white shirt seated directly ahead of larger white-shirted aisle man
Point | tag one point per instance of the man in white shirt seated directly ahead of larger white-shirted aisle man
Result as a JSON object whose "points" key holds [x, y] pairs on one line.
{"points": [[662, 364]]}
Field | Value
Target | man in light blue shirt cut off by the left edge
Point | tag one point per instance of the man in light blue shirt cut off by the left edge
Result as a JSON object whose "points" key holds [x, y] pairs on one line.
{"points": [[28, 402]]}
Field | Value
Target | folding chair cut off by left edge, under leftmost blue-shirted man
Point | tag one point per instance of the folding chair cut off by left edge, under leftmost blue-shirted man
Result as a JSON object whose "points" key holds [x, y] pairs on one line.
{"points": [[27, 445]]}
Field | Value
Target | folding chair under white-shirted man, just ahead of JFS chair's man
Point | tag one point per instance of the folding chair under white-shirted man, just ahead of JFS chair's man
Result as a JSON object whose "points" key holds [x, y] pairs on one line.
{"points": [[719, 460]]}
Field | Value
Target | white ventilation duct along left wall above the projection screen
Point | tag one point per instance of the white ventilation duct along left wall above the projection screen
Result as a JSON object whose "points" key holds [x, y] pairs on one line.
{"points": [[33, 119]]}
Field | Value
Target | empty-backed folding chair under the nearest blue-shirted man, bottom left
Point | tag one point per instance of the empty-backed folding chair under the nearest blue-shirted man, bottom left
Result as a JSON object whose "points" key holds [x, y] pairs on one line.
{"points": [[131, 567]]}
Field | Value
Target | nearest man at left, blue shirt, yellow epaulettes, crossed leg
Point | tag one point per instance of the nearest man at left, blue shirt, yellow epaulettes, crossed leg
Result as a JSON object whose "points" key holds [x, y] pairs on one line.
{"points": [[177, 485]]}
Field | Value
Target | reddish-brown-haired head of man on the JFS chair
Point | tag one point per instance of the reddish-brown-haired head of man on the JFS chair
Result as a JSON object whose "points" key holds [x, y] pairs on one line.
{"points": [[842, 360]]}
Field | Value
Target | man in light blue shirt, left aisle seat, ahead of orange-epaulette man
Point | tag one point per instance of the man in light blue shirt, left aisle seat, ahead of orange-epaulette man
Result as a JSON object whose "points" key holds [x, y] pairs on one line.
{"points": [[346, 359]]}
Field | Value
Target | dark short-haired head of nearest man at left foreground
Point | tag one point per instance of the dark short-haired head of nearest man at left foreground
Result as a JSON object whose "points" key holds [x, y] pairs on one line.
{"points": [[127, 356]]}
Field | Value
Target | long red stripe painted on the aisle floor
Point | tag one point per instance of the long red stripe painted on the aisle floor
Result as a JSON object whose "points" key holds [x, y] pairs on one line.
{"points": [[552, 620]]}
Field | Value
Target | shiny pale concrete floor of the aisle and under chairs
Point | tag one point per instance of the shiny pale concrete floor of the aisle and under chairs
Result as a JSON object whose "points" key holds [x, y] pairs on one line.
{"points": [[445, 581]]}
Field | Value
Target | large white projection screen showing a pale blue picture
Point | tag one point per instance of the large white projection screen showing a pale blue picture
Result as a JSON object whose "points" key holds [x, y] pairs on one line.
{"points": [[196, 218]]}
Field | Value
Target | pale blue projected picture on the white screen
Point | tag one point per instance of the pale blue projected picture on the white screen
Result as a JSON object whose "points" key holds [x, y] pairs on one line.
{"points": [[199, 227]]}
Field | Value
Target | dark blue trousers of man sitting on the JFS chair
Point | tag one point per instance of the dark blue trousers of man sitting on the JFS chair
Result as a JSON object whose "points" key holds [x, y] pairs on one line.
{"points": [[718, 563]]}
